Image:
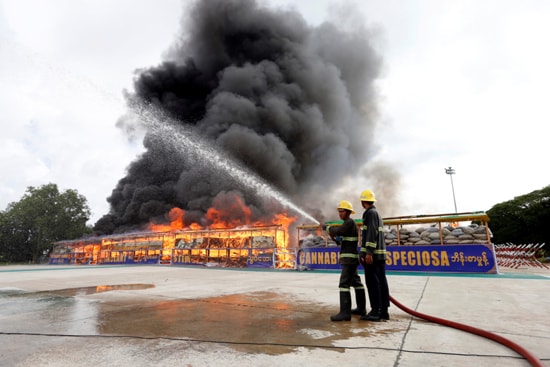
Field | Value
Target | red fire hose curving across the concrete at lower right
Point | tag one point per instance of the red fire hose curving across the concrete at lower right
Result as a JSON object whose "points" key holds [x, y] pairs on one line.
{"points": [[510, 344]]}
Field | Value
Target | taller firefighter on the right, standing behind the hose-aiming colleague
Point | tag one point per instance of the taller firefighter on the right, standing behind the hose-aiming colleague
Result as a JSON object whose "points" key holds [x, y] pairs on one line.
{"points": [[373, 258]]}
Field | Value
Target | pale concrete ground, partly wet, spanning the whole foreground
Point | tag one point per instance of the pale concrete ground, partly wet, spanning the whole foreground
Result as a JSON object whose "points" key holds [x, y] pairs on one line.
{"points": [[195, 316]]}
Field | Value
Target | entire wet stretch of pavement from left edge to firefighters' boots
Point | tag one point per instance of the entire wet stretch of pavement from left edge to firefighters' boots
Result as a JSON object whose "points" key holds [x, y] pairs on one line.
{"points": [[258, 322]]}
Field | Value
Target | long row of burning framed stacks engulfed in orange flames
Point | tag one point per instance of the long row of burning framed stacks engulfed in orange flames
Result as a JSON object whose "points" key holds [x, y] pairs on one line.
{"points": [[250, 247]]}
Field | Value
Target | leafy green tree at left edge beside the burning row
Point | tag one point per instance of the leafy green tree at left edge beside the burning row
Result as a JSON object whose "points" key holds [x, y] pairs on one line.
{"points": [[42, 216]]}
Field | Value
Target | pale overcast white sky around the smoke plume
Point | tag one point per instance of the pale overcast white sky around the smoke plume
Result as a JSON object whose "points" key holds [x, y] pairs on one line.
{"points": [[465, 84]]}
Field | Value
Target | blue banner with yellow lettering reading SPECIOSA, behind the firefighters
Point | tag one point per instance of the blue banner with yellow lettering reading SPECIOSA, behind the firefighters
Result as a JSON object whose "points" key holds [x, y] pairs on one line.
{"points": [[463, 258]]}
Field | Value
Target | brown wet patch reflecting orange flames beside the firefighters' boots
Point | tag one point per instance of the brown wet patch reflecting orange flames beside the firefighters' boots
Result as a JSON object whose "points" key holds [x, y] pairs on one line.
{"points": [[259, 322]]}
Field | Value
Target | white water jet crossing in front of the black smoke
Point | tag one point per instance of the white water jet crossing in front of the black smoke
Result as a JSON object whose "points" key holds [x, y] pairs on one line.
{"points": [[189, 143]]}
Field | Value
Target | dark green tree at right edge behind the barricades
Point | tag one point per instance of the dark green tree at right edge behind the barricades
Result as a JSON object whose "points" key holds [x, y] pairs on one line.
{"points": [[522, 220]]}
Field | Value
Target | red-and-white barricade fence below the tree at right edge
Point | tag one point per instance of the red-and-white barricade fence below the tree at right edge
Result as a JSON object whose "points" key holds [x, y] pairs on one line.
{"points": [[510, 255]]}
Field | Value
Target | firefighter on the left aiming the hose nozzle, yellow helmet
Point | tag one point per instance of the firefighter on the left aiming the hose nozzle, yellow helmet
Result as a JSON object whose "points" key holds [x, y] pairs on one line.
{"points": [[346, 236]]}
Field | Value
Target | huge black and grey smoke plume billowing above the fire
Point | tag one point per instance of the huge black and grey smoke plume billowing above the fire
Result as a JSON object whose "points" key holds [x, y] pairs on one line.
{"points": [[293, 103]]}
